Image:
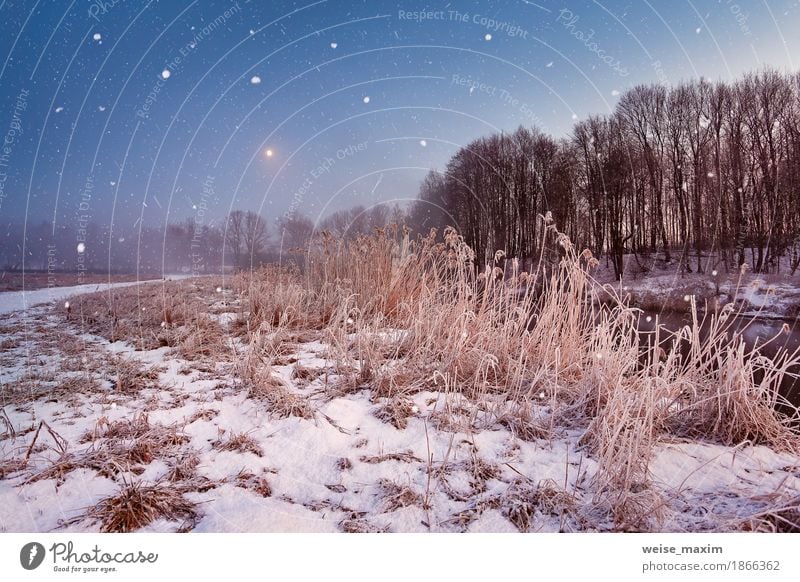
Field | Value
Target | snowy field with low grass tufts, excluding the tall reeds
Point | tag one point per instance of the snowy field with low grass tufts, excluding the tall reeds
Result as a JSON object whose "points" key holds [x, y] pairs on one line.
{"points": [[86, 422]]}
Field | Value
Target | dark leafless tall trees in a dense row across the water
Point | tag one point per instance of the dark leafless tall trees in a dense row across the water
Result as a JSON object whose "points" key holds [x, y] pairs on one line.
{"points": [[701, 175]]}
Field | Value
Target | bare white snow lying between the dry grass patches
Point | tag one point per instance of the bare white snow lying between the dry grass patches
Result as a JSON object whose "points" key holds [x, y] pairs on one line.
{"points": [[344, 468]]}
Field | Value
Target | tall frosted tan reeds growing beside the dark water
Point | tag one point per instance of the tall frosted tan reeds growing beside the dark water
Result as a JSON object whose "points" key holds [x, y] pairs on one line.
{"points": [[536, 351]]}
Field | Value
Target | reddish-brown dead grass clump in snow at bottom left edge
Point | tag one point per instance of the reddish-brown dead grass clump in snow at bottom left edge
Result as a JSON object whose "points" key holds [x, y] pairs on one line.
{"points": [[138, 504]]}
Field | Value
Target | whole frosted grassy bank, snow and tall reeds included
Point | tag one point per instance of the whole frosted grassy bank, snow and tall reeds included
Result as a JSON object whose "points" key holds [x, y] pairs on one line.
{"points": [[389, 386]]}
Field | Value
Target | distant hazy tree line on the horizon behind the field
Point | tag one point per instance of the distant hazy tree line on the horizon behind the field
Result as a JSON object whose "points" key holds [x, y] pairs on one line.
{"points": [[244, 239]]}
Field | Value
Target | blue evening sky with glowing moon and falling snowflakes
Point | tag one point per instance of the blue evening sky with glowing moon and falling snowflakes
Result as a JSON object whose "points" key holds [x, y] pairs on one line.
{"points": [[125, 112]]}
